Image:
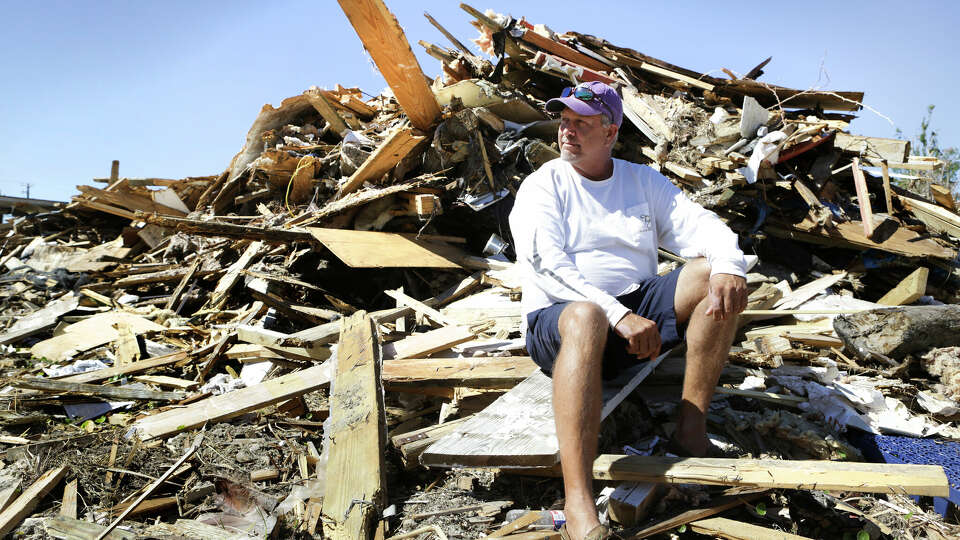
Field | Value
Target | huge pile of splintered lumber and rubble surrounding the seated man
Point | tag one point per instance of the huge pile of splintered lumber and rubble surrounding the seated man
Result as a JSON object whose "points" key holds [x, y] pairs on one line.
{"points": [[325, 338]]}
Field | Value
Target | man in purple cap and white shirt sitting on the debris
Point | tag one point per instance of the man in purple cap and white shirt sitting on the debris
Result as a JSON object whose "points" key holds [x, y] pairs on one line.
{"points": [[586, 229]]}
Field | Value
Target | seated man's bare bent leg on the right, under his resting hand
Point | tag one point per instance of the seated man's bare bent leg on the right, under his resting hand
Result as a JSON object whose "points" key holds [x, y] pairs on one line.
{"points": [[708, 344]]}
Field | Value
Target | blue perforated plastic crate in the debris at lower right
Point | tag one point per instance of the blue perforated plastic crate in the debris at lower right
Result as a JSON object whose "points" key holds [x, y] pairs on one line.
{"points": [[909, 450]]}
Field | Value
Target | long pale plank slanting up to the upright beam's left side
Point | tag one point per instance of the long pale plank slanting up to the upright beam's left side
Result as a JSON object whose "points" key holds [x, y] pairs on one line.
{"points": [[232, 404]]}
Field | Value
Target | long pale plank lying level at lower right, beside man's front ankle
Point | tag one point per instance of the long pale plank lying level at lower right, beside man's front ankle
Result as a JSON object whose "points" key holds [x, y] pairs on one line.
{"points": [[778, 474]]}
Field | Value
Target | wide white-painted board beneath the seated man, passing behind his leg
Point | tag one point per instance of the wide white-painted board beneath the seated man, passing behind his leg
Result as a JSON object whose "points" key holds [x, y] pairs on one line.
{"points": [[518, 430]]}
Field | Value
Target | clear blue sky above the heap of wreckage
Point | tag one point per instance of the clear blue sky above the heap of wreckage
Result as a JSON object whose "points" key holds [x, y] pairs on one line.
{"points": [[170, 88]]}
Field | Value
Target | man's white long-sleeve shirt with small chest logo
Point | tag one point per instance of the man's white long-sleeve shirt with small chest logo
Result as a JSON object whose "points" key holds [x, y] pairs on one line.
{"points": [[580, 239]]}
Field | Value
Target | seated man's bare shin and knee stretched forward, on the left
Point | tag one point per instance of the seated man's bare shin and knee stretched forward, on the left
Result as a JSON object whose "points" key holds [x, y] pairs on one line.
{"points": [[576, 408]]}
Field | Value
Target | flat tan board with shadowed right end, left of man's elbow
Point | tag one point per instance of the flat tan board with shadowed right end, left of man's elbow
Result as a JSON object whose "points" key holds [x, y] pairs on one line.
{"points": [[370, 249]]}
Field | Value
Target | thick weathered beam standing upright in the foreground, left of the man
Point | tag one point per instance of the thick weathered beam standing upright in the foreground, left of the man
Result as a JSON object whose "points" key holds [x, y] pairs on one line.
{"points": [[357, 435]]}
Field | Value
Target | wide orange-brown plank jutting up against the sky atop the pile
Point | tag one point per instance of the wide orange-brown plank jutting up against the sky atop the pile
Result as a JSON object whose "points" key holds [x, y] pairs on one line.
{"points": [[385, 41]]}
